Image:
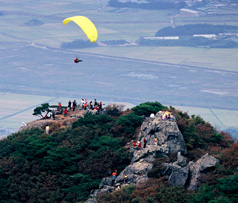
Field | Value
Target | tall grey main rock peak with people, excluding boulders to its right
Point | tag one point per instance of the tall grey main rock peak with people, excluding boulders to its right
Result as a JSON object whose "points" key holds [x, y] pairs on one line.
{"points": [[163, 136]]}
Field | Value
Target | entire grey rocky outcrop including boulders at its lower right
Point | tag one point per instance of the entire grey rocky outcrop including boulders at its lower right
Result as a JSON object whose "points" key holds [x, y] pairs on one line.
{"points": [[169, 140]]}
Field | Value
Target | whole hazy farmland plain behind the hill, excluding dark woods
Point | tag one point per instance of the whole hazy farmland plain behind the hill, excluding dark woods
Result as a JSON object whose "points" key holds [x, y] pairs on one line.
{"points": [[35, 69]]}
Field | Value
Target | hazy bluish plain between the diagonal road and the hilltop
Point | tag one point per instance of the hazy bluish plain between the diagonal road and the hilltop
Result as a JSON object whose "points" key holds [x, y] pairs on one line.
{"points": [[34, 75]]}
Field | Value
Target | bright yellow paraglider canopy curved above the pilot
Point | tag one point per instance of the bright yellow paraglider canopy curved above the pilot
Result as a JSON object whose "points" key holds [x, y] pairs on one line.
{"points": [[86, 25]]}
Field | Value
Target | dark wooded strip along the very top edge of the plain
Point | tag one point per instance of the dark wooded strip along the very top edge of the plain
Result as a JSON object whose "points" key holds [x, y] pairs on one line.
{"points": [[150, 4]]}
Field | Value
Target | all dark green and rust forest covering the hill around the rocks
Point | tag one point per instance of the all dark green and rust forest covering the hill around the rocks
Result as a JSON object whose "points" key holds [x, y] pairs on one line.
{"points": [[66, 165]]}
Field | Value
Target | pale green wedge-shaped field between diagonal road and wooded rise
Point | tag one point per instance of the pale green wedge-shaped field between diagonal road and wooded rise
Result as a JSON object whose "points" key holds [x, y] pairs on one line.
{"points": [[220, 59]]}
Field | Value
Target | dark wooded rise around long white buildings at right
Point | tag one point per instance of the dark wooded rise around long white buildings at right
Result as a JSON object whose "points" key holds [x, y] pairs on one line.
{"points": [[194, 35]]}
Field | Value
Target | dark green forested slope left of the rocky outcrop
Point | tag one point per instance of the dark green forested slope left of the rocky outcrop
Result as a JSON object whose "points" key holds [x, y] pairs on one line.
{"points": [[66, 165]]}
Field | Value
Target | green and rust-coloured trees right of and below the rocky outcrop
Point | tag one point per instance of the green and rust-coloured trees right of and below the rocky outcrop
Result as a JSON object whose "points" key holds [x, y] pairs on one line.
{"points": [[216, 185]]}
